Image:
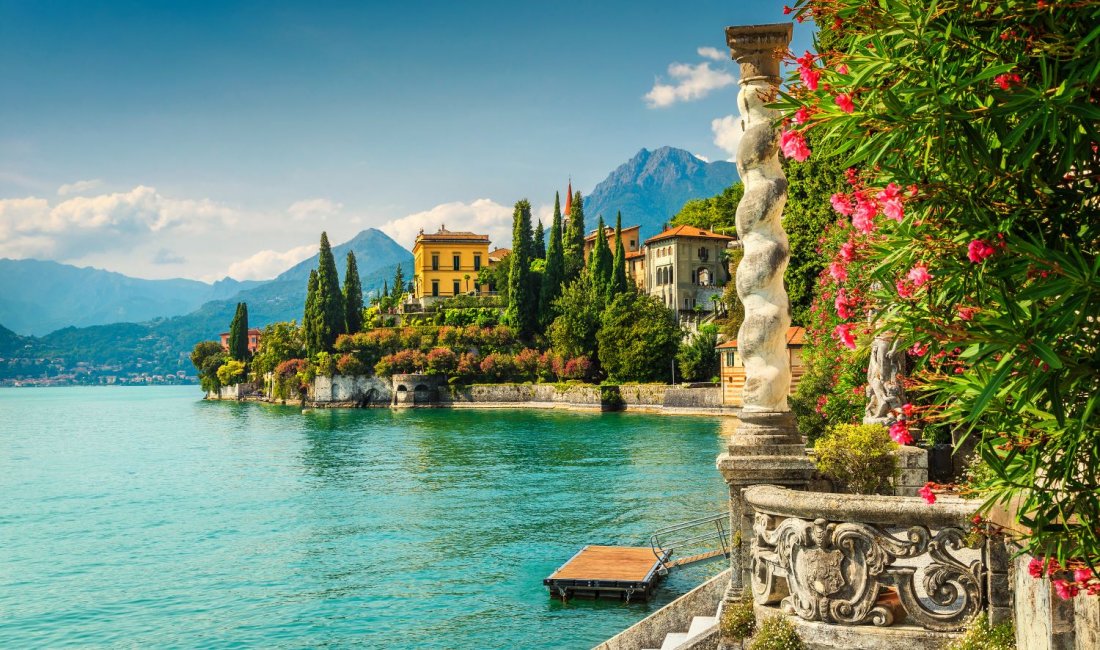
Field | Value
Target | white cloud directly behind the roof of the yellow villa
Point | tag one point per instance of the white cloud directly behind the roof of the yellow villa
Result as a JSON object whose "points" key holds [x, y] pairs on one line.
{"points": [[482, 216]]}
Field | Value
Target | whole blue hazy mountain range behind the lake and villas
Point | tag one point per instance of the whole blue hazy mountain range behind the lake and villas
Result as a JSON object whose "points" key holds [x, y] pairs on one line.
{"points": [[162, 321]]}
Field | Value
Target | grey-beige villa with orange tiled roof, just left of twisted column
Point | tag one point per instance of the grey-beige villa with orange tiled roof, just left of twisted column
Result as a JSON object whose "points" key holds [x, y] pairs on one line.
{"points": [[685, 268]]}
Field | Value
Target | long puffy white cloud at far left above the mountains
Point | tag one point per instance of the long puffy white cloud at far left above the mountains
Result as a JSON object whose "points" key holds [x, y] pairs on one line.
{"points": [[81, 226]]}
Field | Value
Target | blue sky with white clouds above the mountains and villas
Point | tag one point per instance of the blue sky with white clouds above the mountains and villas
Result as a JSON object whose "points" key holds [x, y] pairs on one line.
{"points": [[206, 140]]}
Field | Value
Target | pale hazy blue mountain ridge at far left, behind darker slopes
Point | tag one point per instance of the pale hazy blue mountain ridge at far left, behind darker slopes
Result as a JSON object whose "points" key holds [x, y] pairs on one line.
{"points": [[39, 298]]}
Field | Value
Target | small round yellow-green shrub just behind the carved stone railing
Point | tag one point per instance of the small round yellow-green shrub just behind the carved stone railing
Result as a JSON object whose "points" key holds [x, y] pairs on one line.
{"points": [[860, 457]]}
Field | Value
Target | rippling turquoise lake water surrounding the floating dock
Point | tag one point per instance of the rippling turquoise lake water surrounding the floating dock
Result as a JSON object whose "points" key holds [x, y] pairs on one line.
{"points": [[145, 517]]}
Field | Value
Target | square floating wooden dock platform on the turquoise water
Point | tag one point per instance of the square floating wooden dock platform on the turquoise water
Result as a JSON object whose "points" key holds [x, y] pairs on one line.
{"points": [[624, 572]]}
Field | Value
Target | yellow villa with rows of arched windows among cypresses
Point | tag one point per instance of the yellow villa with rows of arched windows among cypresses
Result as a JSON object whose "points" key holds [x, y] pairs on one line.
{"points": [[447, 263]]}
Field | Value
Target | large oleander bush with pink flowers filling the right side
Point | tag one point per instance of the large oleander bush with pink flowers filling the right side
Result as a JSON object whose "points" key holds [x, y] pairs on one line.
{"points": [[974, 129]]}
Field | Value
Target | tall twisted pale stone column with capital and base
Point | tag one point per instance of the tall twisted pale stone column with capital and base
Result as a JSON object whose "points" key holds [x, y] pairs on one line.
{"points": [[767, 448]]}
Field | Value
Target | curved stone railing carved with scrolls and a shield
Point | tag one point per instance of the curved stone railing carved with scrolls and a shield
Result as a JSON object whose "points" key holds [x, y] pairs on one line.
{"points": [[870, 560]]}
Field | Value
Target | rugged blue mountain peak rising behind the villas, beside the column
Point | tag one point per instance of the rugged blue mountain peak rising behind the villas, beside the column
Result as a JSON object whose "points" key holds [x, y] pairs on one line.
{"points": [[652, 188]]}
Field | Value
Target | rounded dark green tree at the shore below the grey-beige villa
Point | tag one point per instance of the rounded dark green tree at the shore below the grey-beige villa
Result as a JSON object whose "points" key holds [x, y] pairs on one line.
{"points": [[639, 336]]}
